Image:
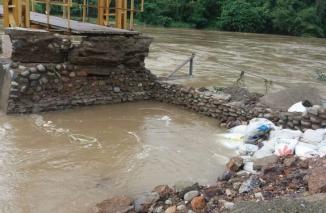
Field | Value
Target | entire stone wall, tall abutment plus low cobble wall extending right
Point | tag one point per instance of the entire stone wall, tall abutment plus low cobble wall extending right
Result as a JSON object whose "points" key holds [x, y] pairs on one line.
{"points": [[53, 72]]}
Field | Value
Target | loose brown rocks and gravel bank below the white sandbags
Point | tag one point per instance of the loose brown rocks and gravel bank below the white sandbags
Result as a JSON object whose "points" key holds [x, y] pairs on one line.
{"points": [[280, 184]]}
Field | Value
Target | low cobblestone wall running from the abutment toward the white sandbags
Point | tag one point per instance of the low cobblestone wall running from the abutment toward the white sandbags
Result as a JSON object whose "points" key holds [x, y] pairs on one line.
{"points": [[230, 113]]}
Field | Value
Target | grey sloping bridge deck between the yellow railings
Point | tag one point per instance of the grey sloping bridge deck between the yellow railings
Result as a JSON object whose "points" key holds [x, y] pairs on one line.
{"points": [[76, 27]]}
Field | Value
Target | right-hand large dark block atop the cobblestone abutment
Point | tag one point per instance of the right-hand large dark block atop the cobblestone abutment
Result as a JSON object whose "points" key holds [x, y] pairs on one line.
{"points": [[111, 50]]}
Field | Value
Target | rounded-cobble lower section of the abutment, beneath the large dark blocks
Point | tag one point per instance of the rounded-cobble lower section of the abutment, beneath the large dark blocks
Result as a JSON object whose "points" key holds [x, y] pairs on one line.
{"points": [[46, 87]]}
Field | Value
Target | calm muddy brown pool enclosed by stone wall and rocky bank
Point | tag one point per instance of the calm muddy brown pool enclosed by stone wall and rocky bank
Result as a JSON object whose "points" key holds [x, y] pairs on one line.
{"points": [[48, 164]]}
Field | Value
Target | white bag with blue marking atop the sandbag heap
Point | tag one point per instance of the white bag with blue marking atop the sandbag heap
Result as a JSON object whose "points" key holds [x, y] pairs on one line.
{"points": [[257, 128]]}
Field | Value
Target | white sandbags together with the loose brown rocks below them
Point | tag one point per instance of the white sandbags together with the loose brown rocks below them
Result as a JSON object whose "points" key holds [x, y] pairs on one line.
{"points": [[272, 163]]}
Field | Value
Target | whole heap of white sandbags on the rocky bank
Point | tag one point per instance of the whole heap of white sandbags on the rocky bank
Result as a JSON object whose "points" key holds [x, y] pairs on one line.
{"points": [[261, 138]]}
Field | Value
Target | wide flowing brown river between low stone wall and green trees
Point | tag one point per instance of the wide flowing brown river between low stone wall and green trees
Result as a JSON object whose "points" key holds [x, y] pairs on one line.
{"points": [[221, 56]]}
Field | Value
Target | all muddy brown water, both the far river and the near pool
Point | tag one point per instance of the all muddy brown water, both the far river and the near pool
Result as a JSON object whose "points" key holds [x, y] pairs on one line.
{"points": [[68, 161]]}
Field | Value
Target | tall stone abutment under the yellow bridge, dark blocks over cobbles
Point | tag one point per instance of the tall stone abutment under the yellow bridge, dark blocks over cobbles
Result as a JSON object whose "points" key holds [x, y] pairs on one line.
{"points": [[51, 72]]}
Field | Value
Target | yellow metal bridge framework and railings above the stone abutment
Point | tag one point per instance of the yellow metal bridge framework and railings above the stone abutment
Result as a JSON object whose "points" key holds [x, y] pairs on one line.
{"points": [[113, 13]]}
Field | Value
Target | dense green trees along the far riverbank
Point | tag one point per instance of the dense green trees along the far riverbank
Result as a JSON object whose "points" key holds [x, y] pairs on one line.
{"points": [[288, 17]]}
